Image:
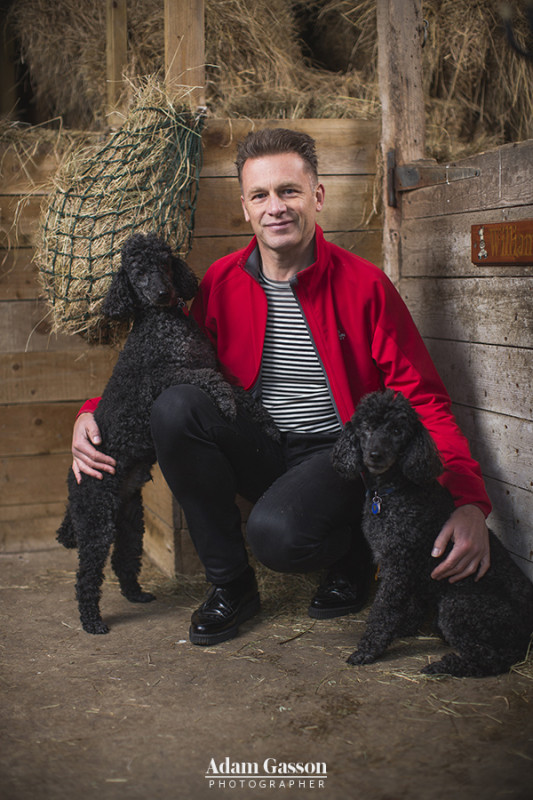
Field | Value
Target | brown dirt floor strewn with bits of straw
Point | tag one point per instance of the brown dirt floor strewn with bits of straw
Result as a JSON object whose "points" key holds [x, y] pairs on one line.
{"points": [[141, 713]]}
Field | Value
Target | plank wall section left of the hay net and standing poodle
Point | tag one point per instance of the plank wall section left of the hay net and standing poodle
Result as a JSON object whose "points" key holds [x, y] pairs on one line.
{"points": [[42, 377]]}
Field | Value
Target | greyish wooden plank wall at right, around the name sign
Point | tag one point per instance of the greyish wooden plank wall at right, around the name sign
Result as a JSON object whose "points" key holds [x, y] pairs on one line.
{"points": [[478, 324]]}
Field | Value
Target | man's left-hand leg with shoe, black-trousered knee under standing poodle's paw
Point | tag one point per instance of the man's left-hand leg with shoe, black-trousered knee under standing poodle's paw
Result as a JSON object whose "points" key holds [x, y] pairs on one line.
{"points": [[206, 461]]}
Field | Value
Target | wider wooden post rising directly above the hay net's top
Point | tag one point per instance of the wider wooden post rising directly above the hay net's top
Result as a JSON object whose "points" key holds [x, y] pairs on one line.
{"points": [[185, 47]]}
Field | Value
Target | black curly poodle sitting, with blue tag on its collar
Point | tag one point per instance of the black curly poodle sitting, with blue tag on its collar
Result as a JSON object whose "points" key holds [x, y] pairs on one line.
{"points": [[488, 621]]}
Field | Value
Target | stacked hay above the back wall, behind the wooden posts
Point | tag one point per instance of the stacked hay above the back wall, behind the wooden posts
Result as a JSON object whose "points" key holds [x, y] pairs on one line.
{"points": [[307, 58]]}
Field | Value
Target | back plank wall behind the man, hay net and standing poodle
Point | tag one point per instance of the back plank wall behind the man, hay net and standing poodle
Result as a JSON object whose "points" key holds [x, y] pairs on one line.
{"points": [[45, 378]]}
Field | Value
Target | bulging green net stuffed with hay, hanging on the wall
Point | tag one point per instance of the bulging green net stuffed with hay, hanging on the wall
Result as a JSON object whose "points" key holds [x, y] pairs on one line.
{"points": [[144, 177]]}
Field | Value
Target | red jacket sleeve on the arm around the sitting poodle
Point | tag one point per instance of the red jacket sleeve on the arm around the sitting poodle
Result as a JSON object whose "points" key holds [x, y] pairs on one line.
{"points": [[406, 367]]}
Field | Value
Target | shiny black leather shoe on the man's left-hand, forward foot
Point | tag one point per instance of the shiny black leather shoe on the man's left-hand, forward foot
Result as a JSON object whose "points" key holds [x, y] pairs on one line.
{"points": [[224, 609]]}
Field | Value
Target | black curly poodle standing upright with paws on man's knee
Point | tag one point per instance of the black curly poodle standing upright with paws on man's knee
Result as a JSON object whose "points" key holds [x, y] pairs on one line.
{"points": [[165, 347]]}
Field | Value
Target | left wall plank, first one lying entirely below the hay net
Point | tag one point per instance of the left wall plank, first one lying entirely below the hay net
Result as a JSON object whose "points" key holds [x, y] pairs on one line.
{"points": [[48, 377]]}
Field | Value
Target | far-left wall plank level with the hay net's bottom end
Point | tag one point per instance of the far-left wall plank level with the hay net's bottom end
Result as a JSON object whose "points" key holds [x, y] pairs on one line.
{"points": [[25, 327]]}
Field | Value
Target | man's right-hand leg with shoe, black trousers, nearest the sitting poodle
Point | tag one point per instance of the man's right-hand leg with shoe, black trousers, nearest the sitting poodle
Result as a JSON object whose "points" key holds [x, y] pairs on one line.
{"points": [[309, 520]]}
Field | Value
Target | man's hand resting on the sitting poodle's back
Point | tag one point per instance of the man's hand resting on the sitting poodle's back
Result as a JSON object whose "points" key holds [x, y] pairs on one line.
{"points": [[467, 529]]}
